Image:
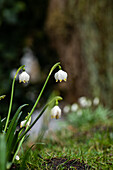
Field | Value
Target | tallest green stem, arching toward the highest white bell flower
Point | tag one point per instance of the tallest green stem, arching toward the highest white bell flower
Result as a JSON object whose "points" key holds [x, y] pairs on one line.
{"points": [[32, 110]]}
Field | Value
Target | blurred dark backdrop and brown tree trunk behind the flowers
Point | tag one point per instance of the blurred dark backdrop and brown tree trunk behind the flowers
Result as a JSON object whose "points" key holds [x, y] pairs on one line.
{"points": [[79, 34]]}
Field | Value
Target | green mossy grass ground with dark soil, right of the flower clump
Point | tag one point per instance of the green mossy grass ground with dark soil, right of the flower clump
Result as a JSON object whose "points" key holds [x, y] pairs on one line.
{"points": [[84, 147]]}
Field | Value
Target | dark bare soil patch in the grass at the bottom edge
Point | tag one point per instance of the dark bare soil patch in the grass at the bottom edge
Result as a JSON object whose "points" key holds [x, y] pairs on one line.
{"points": [[65, 164]]}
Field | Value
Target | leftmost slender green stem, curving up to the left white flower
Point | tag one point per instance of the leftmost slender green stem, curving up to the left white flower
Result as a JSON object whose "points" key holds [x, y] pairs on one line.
{"points": [[11, 100]]}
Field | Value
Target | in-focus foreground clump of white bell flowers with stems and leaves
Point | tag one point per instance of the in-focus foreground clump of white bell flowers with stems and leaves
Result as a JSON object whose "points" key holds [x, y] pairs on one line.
{"points": [[11, 138]]}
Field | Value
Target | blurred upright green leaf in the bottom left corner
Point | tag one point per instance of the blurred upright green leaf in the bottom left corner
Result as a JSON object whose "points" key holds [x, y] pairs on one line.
{"points": [[2, 152]]}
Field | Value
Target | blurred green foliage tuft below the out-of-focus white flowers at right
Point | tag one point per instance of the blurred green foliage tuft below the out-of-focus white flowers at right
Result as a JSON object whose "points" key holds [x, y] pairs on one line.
{"points": [[88, 116]]}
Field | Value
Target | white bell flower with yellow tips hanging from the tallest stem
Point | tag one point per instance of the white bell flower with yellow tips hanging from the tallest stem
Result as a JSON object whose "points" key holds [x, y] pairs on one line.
{"points": [[61, 75]]}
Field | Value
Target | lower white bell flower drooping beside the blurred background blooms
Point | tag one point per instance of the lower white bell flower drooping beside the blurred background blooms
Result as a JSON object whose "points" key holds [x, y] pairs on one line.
{"points": [[55, 112]]}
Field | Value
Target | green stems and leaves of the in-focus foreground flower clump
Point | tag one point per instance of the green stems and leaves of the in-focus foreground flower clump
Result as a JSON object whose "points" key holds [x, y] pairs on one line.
{"points": [[11, 139]]}
